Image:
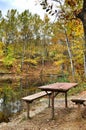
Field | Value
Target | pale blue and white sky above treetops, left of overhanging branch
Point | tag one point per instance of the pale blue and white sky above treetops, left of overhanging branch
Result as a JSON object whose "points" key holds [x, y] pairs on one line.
{"points": [[21, 5]]}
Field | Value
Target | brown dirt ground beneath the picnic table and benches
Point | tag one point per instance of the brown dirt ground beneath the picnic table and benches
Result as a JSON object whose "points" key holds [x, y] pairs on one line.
{"points": [[65, 118]]}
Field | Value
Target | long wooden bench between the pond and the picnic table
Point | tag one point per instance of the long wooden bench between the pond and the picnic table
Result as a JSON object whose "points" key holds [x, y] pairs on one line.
{"points": [[29, 99]]}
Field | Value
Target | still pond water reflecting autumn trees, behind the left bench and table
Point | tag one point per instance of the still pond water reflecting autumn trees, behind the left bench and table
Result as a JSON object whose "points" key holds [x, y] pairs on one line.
{"points": [[11, 91]]}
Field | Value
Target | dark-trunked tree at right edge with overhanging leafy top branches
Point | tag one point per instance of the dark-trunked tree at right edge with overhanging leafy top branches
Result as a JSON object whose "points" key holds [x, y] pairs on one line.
{"points": [[77, 9]]}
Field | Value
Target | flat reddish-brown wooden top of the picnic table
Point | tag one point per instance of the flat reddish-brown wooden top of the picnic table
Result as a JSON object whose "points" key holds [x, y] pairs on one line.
{"points": [[63, 86]]}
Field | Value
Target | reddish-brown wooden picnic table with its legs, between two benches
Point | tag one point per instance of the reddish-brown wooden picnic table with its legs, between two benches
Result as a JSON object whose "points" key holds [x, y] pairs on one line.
{"points": [[57, 88]]}
